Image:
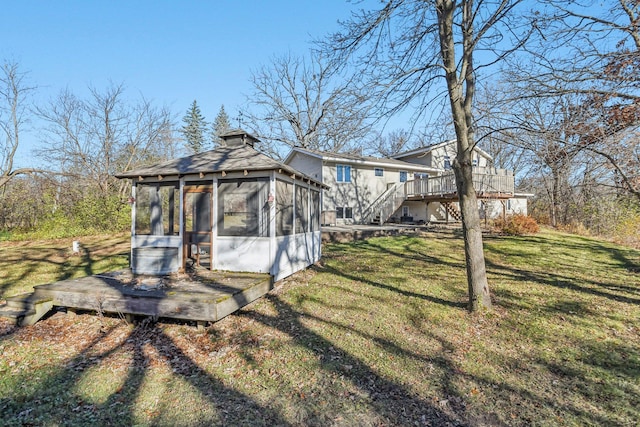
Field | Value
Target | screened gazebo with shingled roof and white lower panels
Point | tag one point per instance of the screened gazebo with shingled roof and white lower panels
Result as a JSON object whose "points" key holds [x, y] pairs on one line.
{"points": [[231, 208]]}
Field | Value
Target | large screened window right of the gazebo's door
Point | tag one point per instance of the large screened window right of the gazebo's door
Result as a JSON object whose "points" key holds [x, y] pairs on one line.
{"points": [[243, 209]]}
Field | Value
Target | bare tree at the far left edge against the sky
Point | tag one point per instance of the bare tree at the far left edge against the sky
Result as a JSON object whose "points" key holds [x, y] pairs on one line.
{"points": [[14, 92]]}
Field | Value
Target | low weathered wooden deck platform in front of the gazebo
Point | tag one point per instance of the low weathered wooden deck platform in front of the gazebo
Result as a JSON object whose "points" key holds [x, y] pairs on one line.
{"points": [[201, 296]]}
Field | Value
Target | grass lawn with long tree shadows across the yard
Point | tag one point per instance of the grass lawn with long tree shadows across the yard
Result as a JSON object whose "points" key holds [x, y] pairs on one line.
{"points": [[376, 335]]}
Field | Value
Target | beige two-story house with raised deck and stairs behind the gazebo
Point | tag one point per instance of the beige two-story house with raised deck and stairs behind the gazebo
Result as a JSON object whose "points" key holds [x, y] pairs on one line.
{"points": [[416, 186]]}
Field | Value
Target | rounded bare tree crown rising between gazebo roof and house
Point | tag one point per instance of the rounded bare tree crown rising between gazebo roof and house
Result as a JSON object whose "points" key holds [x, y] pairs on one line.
{"points": [[305, 103]]}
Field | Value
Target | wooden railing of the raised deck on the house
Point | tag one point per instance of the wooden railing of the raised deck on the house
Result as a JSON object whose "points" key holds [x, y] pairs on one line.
{"points": [[501, 182]]}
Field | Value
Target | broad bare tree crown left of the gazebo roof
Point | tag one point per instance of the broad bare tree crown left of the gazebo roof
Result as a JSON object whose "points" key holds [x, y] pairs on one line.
{"points": [[94, 138]]}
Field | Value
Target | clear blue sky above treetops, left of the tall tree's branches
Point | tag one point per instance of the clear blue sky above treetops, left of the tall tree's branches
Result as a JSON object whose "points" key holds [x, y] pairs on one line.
{"points": [[172, 52]]}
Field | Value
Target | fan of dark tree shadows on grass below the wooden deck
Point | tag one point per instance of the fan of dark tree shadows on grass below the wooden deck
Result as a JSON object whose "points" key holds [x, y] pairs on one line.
{"points": [[55, 399]]}
